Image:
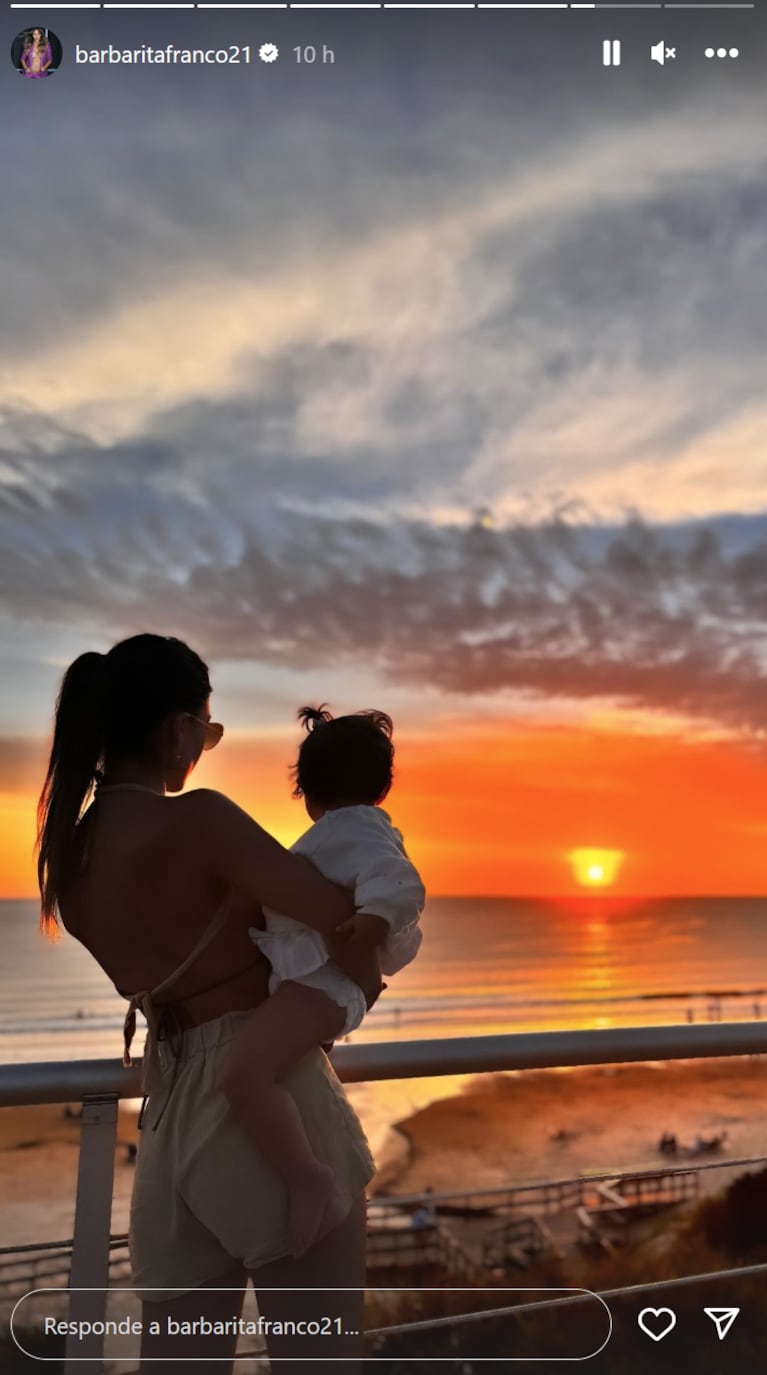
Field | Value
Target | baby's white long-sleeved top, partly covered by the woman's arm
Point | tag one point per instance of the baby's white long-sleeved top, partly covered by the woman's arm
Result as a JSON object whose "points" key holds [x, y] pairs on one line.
{"points": [[359, 849]]}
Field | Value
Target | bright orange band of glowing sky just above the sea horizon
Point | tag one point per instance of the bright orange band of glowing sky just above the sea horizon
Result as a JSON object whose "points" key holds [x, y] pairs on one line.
{"points": [[493, 808]]}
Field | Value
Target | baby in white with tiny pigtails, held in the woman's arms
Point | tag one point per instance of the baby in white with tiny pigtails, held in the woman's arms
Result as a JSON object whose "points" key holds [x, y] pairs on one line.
{"points": [[344, 773]]}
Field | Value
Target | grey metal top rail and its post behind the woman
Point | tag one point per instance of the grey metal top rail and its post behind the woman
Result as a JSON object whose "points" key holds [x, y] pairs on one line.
{"points": [[100, 1084]]}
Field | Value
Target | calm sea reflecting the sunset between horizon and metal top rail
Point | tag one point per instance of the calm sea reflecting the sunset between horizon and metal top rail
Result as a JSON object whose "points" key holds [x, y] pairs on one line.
{"points": [[487, 966]]}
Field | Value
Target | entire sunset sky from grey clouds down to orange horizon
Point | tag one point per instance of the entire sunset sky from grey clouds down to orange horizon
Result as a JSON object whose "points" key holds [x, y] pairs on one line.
{"points": [[405, 387]]}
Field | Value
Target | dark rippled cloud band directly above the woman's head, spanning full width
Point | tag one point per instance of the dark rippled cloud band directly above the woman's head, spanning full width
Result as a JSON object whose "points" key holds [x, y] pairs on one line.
{"points": [[659, 618]]}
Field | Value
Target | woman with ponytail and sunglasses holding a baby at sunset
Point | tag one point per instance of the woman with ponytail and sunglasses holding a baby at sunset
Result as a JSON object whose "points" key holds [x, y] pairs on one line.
{"points": [[162, 890]]}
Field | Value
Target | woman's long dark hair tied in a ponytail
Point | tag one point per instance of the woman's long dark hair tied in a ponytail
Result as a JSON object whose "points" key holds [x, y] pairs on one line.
{"points": [[108, 710]]}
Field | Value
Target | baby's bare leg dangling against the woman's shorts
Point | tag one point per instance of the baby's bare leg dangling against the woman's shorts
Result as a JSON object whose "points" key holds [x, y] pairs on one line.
{"points": [[276, 1037]]}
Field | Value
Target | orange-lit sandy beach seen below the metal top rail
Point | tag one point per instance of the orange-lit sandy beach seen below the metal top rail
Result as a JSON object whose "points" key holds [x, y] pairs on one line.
{"points": [[497, 1131]]}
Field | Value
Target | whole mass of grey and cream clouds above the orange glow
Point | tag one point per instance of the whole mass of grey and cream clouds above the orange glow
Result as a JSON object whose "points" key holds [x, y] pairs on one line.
{"points": [[260, 420]]}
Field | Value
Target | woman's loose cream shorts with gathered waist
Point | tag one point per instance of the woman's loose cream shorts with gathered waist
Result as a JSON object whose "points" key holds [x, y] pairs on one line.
{"points": [[204, 1196]]}
